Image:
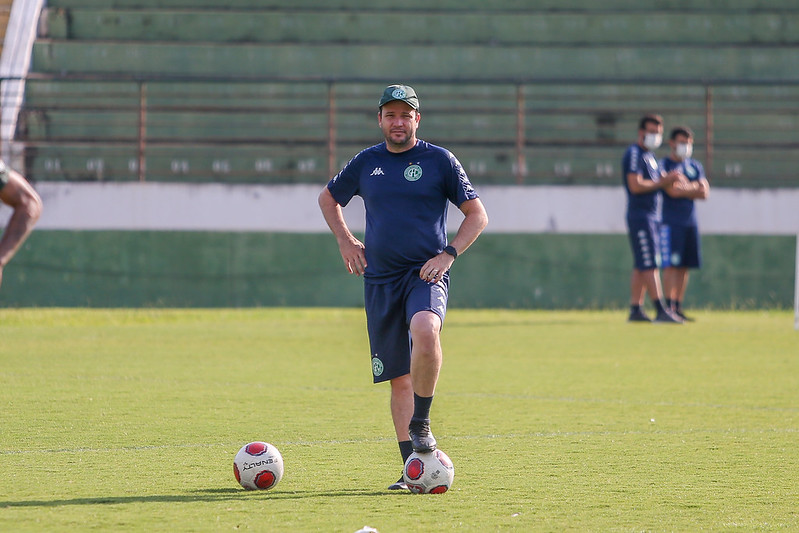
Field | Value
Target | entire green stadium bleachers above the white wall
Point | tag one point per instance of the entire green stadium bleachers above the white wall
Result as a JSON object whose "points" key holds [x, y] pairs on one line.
{"points": [[245, 92]]}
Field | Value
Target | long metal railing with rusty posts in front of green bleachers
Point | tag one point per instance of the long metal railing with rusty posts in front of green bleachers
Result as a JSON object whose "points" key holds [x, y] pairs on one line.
{"points": [[289, 131]]}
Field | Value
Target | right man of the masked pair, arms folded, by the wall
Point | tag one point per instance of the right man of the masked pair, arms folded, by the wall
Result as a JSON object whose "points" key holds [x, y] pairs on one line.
{"points": [[679, 233]]}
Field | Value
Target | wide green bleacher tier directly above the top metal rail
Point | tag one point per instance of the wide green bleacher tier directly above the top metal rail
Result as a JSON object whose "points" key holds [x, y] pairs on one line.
{"points": [[632, 62]]}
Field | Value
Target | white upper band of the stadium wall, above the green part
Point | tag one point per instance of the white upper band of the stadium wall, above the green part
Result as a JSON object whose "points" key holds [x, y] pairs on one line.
{"points": [[293, 208]]}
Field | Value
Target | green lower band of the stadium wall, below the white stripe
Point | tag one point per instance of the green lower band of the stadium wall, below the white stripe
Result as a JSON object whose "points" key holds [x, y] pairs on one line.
{"points": [[227, 269]]}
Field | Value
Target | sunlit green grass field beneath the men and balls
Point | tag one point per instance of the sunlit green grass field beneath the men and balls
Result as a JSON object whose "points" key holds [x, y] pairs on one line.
{"points": [[118, 420]]}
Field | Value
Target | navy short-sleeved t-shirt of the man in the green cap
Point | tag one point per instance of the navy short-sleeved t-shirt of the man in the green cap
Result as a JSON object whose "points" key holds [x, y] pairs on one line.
{"points": [[406, 197]]}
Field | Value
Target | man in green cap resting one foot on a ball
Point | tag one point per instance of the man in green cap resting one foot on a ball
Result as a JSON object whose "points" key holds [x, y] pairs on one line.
{"points": [[406, 185]]}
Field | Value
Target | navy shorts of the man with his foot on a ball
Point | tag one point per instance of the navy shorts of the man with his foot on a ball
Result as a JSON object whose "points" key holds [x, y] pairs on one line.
{"points": [[389, 309]]}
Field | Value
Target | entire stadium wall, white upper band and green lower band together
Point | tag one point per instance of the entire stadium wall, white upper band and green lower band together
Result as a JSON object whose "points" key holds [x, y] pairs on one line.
{"points": [[218, 245]]}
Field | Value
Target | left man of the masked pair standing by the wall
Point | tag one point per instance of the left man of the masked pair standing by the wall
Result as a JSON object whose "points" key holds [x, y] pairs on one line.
{"points": [[643, 181]]}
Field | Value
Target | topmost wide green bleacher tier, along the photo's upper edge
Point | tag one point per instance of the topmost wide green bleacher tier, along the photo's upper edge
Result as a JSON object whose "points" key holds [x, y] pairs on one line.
{"points": [[526, 27]]}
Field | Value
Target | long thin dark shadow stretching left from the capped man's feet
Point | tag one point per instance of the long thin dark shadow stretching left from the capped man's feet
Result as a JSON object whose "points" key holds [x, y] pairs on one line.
{"points": [[203, 495]]}
